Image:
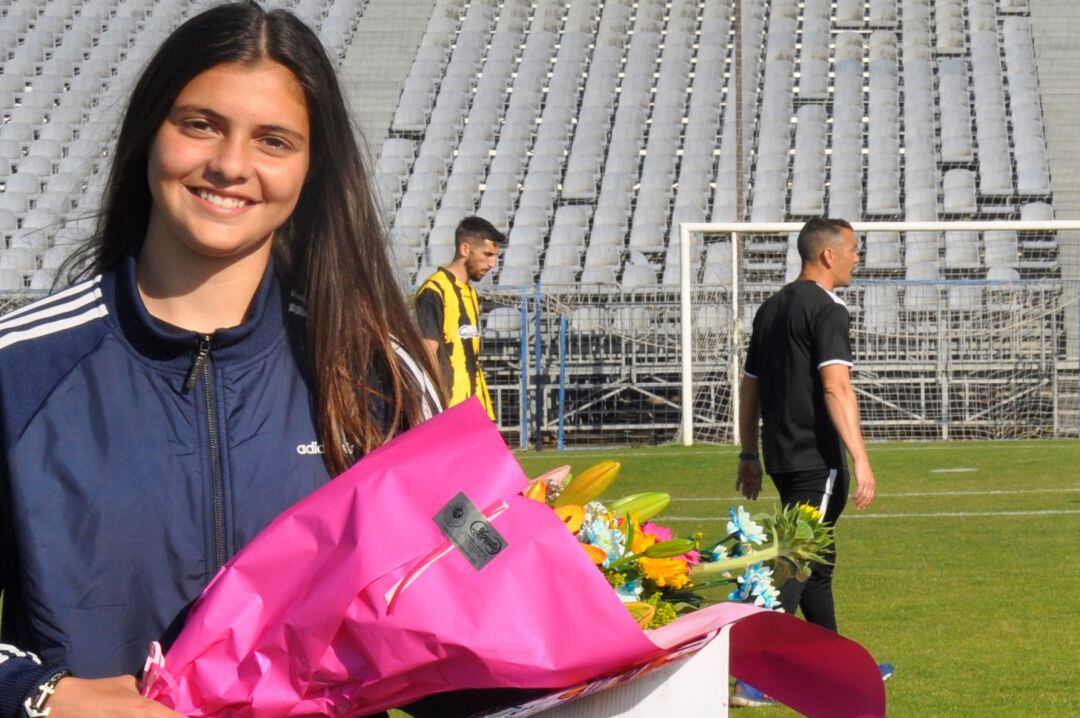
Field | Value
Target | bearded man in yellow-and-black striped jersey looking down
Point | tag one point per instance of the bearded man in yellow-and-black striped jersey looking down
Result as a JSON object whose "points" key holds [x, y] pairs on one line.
{"points": [[448, 309]]}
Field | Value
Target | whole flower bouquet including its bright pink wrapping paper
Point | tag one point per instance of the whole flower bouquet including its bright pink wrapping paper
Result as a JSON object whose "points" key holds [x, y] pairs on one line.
{"points": [[427, 568]]}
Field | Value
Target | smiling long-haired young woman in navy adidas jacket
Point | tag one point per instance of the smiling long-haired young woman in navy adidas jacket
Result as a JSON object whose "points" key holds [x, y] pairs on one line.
{"points": [[236, 307]]}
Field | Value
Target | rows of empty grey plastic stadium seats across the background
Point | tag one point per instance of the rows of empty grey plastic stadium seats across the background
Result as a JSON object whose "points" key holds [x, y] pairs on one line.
{"points": [[602, 126]]}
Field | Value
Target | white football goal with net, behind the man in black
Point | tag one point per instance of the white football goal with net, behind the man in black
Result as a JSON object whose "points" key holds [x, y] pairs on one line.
{"points": [[962, 330]]}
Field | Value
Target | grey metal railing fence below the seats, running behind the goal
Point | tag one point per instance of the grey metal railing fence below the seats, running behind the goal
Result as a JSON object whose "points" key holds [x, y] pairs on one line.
{"points": [[572, 367]]}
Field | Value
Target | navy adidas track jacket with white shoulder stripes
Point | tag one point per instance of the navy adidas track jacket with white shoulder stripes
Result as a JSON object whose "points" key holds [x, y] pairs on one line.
{"points": [[138, 459]]}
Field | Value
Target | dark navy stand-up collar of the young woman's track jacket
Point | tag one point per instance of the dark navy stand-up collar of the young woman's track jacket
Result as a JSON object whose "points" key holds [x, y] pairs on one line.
{"points": [[173, 346]]}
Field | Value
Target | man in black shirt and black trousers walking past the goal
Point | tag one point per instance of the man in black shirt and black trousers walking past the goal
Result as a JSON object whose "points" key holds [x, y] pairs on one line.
{"points": [[798, 382]]}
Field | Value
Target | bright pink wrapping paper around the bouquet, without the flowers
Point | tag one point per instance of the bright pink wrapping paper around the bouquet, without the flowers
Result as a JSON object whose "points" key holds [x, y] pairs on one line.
{"points": [[353, 601]]}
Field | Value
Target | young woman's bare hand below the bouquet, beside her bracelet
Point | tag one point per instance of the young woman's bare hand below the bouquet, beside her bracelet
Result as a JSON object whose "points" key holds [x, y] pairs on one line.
{"points": [[104, 698]]}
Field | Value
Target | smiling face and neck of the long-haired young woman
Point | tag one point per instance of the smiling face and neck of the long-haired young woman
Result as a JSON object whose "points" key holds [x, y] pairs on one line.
{"points": [[225, 171]]}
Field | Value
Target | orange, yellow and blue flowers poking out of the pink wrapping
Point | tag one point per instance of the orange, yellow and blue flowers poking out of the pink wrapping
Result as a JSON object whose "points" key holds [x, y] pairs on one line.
{"points": [[658, 576]]}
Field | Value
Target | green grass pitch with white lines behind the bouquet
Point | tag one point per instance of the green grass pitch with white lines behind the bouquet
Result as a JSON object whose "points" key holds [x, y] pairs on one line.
{"points": [[963, 573]]}
